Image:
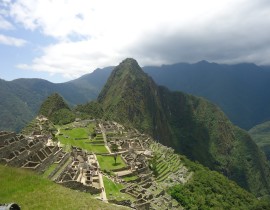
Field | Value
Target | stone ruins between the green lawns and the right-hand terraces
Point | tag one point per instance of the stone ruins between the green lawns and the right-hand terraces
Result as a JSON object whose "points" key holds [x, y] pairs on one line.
{"points": [[136, 151]]}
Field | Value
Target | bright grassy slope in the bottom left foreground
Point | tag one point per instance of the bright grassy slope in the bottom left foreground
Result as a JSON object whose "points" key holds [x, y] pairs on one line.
{"points": [[31, 191]]}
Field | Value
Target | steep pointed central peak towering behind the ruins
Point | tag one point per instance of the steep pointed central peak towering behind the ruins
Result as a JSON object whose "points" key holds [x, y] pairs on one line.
{"points": [[129, 96]]}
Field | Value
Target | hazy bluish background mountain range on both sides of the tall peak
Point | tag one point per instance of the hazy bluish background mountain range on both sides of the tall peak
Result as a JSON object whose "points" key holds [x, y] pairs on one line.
{"points": [[242, 90]]}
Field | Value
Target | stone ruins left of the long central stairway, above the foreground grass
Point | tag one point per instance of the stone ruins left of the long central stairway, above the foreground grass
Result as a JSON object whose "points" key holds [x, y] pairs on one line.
{"points": [[81, 170]]}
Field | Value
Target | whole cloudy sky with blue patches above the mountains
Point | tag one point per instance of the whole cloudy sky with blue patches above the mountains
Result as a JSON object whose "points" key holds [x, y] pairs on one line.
{"points": [[60, 40]]}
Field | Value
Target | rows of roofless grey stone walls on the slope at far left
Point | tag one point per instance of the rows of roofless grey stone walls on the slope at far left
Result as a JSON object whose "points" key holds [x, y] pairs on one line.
{"points": [[27, 152]]}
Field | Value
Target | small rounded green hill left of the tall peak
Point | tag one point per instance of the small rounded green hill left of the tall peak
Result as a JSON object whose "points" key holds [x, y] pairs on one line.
{"points": [[55, 108]]}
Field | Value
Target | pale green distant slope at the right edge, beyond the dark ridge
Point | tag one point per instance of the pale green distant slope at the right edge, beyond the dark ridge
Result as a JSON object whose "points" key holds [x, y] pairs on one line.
{"points": [[261, 135]]}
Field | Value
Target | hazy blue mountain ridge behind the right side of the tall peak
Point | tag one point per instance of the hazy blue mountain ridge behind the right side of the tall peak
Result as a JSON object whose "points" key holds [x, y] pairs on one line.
{"points": [[241, 90]]}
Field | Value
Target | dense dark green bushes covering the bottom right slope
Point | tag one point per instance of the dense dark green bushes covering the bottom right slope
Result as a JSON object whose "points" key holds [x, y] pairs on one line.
{"points": [[209, 189]]}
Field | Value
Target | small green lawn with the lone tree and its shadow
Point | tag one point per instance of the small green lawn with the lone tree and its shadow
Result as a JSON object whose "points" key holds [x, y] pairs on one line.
{"points": [[107, 162]]}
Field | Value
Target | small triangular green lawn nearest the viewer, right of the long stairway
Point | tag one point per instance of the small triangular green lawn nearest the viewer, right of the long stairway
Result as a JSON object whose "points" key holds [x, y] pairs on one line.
{"points": [[113, 190]]}
